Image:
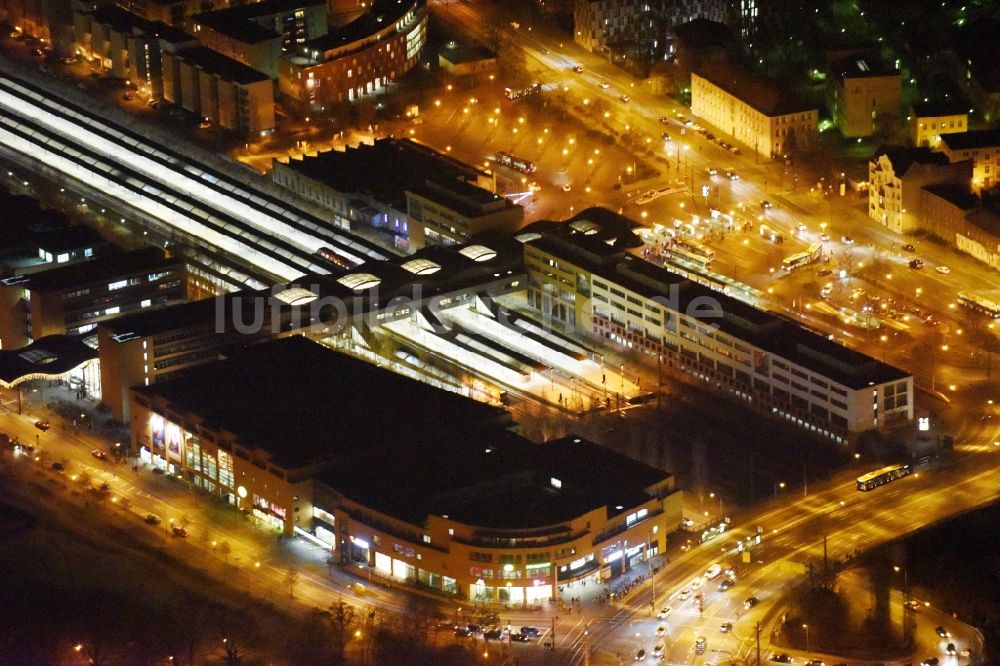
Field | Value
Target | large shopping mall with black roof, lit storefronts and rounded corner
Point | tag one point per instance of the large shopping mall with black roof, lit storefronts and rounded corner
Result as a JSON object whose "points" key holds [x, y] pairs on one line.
{"points": [[424, 486]]}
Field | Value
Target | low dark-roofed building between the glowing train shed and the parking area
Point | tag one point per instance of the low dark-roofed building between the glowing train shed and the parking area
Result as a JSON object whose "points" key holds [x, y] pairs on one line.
{"points": [[421, 197]]}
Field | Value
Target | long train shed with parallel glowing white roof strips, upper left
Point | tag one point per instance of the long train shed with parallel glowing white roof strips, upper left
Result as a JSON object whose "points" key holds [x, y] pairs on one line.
{"points": [[215, 211]]}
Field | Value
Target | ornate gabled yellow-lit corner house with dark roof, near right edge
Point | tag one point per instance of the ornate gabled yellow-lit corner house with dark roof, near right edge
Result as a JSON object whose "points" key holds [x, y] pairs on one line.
{"points": [[896, 177]]}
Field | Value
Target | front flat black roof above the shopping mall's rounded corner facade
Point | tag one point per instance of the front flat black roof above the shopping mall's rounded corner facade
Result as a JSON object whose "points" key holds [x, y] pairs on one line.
{"points": [[503, 481]]}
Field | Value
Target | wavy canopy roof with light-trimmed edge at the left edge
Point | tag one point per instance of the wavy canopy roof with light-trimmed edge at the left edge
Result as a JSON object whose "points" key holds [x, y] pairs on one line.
{"points": [[50, 357]]}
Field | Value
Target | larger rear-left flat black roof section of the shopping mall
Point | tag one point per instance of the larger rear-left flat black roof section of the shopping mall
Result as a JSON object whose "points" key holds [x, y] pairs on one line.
{"points": [[306, 404]]}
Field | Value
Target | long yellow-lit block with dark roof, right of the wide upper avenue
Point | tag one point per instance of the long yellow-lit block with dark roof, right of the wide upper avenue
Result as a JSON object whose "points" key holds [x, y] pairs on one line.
{"points": [[756, 113]]}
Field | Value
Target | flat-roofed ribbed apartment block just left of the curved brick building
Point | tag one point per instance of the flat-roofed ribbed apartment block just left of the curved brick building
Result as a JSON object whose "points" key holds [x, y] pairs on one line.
{"points": [[226, 92]]}
